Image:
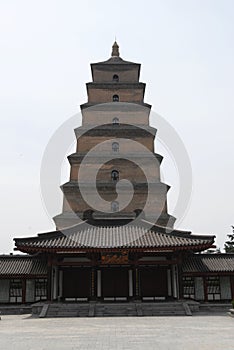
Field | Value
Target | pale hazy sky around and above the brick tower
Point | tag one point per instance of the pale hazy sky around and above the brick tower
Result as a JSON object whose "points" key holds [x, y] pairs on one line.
{"points": [[186, 50]]}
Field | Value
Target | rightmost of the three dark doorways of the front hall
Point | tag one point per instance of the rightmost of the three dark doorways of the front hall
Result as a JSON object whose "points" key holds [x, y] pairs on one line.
{"points": [[153, 282]]}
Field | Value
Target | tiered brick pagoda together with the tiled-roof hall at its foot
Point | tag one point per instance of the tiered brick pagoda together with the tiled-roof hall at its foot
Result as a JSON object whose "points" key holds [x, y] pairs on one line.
{"points": [[114, 239]]}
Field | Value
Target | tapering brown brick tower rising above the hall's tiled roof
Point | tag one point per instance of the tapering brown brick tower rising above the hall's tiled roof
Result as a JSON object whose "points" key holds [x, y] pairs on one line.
{"points": [[115, 124]]}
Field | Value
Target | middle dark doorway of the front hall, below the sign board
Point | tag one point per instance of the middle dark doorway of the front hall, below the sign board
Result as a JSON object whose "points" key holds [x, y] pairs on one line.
{"points": [[115, 283]]}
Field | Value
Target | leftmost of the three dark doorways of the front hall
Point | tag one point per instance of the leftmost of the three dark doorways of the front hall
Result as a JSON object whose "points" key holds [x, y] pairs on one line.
{"points": [[76, 283]]}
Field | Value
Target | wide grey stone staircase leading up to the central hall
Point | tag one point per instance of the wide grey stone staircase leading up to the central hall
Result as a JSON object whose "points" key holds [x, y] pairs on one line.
{"points": [[131, 309]]}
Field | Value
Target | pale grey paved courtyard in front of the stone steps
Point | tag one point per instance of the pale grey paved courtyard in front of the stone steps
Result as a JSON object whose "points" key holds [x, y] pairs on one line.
{"points": [[22, 332]]}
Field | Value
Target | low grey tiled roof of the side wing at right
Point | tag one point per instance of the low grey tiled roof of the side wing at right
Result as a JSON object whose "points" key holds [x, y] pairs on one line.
{"points": [[209, 263]]}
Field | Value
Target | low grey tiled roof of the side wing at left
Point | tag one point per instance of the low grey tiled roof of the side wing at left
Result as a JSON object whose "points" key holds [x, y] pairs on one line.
{"points": [[21, 266]]}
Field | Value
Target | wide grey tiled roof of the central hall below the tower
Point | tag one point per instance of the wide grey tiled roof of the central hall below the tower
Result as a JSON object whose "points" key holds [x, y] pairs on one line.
{"points": [[113, 237]]}
